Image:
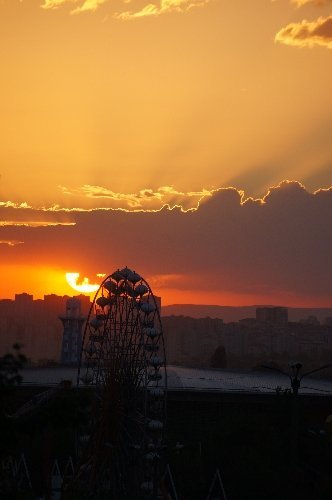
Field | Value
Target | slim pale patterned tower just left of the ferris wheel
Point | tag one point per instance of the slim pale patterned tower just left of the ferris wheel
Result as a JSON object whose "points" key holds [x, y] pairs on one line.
{"points": [[72, 321]]}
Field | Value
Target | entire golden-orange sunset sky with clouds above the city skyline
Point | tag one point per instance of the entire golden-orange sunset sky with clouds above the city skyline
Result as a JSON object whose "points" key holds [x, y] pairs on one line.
{"points": [[188, 139]]}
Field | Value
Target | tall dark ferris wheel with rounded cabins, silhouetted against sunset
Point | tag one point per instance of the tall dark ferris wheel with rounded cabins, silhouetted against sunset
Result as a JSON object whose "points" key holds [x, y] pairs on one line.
{"points": [[123, 360]]}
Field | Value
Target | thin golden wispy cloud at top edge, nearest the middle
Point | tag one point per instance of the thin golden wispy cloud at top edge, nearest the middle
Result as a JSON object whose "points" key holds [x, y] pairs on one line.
{"points": [[163, 7]]}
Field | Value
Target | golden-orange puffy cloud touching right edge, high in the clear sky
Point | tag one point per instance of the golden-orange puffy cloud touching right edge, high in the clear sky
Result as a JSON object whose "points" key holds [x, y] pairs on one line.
{"points": [[307, 33]]}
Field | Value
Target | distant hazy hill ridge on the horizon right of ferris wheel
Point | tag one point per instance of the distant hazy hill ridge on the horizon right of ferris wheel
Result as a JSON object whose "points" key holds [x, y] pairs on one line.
{"points": [[234, 313]]}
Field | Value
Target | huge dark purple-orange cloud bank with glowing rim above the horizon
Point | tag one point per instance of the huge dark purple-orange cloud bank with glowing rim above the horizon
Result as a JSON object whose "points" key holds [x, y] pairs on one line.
{"points": [[274, 249]]}
